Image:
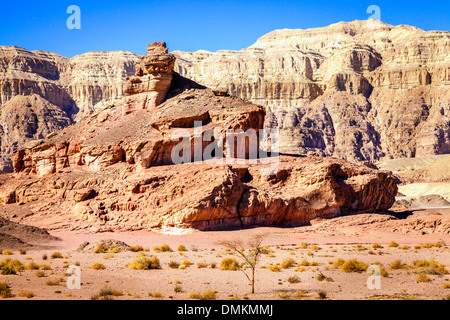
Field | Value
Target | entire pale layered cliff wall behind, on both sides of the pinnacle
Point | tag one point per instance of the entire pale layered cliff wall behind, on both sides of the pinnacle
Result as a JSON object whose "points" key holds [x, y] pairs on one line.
{"points": [[360, 90]]}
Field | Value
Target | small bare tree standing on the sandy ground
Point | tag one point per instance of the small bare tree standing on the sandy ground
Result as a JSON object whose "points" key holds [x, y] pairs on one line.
{"points": [[250, 251]]}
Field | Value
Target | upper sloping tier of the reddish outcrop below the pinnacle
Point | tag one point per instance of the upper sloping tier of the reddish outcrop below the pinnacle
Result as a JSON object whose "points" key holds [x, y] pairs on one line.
{"points": [[142, 138]]}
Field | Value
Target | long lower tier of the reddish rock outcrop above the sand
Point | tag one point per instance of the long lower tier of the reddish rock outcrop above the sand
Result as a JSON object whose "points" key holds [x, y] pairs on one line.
{"points": [[202, 196]]}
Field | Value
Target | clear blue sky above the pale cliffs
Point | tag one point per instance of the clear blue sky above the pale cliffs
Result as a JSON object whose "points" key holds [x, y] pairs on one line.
{"points": [[190, 25]]}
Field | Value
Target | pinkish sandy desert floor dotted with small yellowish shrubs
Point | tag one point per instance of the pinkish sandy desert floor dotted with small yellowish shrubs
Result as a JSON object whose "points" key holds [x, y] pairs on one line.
{"points": [[314, 249]]}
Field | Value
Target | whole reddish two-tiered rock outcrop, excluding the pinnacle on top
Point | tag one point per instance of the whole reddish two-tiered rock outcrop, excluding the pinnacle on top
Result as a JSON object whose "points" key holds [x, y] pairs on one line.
{"points": [[114, 171]]}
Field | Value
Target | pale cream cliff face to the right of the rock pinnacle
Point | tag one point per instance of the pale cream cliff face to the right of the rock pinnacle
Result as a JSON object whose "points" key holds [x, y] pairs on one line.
{"points": [[360, 90]]}
